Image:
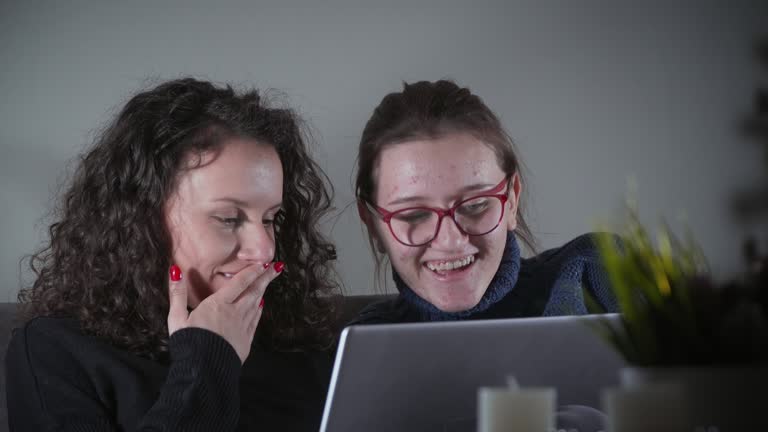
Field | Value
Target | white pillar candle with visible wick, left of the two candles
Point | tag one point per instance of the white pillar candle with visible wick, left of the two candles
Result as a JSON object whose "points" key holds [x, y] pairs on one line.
{"points": [[524, 410]]}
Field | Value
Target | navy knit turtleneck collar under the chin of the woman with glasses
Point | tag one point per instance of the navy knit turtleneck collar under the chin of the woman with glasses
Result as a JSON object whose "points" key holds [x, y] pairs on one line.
{"points": [[501, 284]]}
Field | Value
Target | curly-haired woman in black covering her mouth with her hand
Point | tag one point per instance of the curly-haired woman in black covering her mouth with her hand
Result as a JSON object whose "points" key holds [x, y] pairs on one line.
{"points": [[185, 285]]}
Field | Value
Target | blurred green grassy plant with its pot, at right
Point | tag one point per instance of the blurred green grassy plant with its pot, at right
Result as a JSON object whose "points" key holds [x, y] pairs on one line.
{"points": [[679, 325]]}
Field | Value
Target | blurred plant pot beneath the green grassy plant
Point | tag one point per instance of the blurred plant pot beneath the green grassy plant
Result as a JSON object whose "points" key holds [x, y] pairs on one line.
{"points": [[723, 399]]}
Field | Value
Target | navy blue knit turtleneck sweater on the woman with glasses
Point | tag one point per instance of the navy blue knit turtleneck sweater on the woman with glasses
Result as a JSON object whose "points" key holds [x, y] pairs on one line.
{"points": [[552, 283]]}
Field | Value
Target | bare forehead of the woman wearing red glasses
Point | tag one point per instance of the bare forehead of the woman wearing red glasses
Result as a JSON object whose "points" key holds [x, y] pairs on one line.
{"points": [[438, 165]]}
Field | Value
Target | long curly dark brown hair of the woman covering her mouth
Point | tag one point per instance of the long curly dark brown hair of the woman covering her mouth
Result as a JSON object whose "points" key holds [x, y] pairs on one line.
{"points": [[107, 260]]}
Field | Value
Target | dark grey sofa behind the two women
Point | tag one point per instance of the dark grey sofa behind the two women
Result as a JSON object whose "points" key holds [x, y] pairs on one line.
{"points": [[348, 308]]}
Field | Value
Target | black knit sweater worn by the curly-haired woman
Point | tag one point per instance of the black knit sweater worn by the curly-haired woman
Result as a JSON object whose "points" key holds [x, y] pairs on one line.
{"points": [[60, 379]]}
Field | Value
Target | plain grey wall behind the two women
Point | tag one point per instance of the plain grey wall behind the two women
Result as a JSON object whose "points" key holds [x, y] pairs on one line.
{"points": [[593, 92]]}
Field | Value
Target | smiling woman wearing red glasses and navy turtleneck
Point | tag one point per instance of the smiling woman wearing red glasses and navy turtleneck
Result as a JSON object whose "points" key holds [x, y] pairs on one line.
{"points": [[439, 190]]}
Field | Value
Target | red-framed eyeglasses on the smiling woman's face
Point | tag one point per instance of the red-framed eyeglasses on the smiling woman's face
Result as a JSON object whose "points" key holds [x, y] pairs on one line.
{"points": [[475, 216]]}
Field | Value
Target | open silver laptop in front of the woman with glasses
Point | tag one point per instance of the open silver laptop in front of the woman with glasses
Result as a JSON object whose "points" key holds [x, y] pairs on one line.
{"points": [[425, 376]]}
